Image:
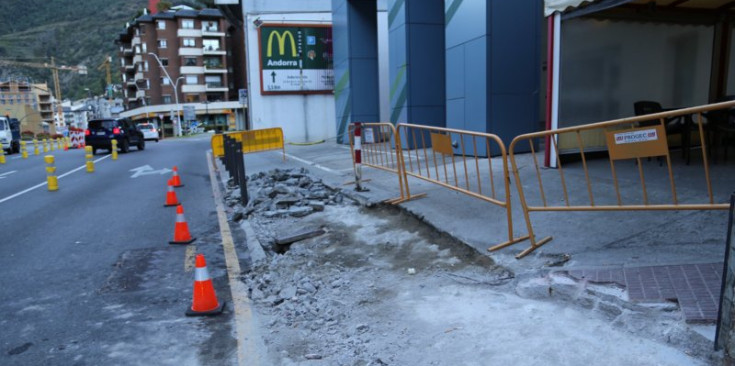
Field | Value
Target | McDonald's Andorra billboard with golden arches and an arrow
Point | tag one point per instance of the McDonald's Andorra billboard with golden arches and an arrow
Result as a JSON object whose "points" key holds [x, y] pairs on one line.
{"points": [[295, 58]]}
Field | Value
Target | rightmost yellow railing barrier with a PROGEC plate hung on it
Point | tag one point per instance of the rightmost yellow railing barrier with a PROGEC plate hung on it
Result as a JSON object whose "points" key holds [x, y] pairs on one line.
{"points": [[625, 140]]}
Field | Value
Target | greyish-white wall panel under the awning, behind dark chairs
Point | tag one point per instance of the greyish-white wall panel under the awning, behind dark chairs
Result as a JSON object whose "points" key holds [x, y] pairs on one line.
{"points": [[606, 66]]}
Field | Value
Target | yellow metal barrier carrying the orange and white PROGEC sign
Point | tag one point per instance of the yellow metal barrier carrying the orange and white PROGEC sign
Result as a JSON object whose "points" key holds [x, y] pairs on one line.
{"points": [[621, 139]]}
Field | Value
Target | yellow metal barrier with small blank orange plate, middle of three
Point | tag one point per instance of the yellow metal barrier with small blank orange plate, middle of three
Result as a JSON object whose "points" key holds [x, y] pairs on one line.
{"points": [[458, 160]]}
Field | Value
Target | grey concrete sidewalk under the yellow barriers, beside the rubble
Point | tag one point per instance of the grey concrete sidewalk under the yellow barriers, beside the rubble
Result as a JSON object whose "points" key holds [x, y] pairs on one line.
{"points": [[626, 247]]}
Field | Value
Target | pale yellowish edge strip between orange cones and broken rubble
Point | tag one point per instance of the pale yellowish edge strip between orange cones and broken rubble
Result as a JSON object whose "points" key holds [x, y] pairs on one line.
{"points": [[245, 334]]}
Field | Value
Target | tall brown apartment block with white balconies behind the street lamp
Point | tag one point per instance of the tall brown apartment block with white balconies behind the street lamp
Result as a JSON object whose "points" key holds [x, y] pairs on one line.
{"points": [[171, 50]]}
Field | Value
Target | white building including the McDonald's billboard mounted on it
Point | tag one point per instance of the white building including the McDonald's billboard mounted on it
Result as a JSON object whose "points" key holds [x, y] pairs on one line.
{"points": [[289, 94]]}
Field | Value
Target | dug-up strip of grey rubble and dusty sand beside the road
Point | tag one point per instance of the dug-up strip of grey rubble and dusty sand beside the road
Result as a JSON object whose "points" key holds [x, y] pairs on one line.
{"points": [[377, 286]]}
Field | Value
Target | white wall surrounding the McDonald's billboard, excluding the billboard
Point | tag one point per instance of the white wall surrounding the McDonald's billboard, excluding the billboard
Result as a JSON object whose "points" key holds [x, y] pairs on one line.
{"points": [[304, 118]]}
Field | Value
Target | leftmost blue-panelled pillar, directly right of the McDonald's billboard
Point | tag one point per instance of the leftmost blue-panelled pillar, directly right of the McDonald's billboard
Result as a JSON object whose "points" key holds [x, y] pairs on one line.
{"points": [[355, 63]]}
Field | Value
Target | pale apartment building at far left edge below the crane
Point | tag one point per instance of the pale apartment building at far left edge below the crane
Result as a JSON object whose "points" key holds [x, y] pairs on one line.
{"points": [[29, 102]]}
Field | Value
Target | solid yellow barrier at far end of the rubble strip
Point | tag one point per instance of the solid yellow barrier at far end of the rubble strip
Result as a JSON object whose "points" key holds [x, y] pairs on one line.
{"points": [[252, 141]]}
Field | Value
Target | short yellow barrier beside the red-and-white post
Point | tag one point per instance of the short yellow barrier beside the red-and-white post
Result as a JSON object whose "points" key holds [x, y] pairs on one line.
{"points": [[377, 149]]}
